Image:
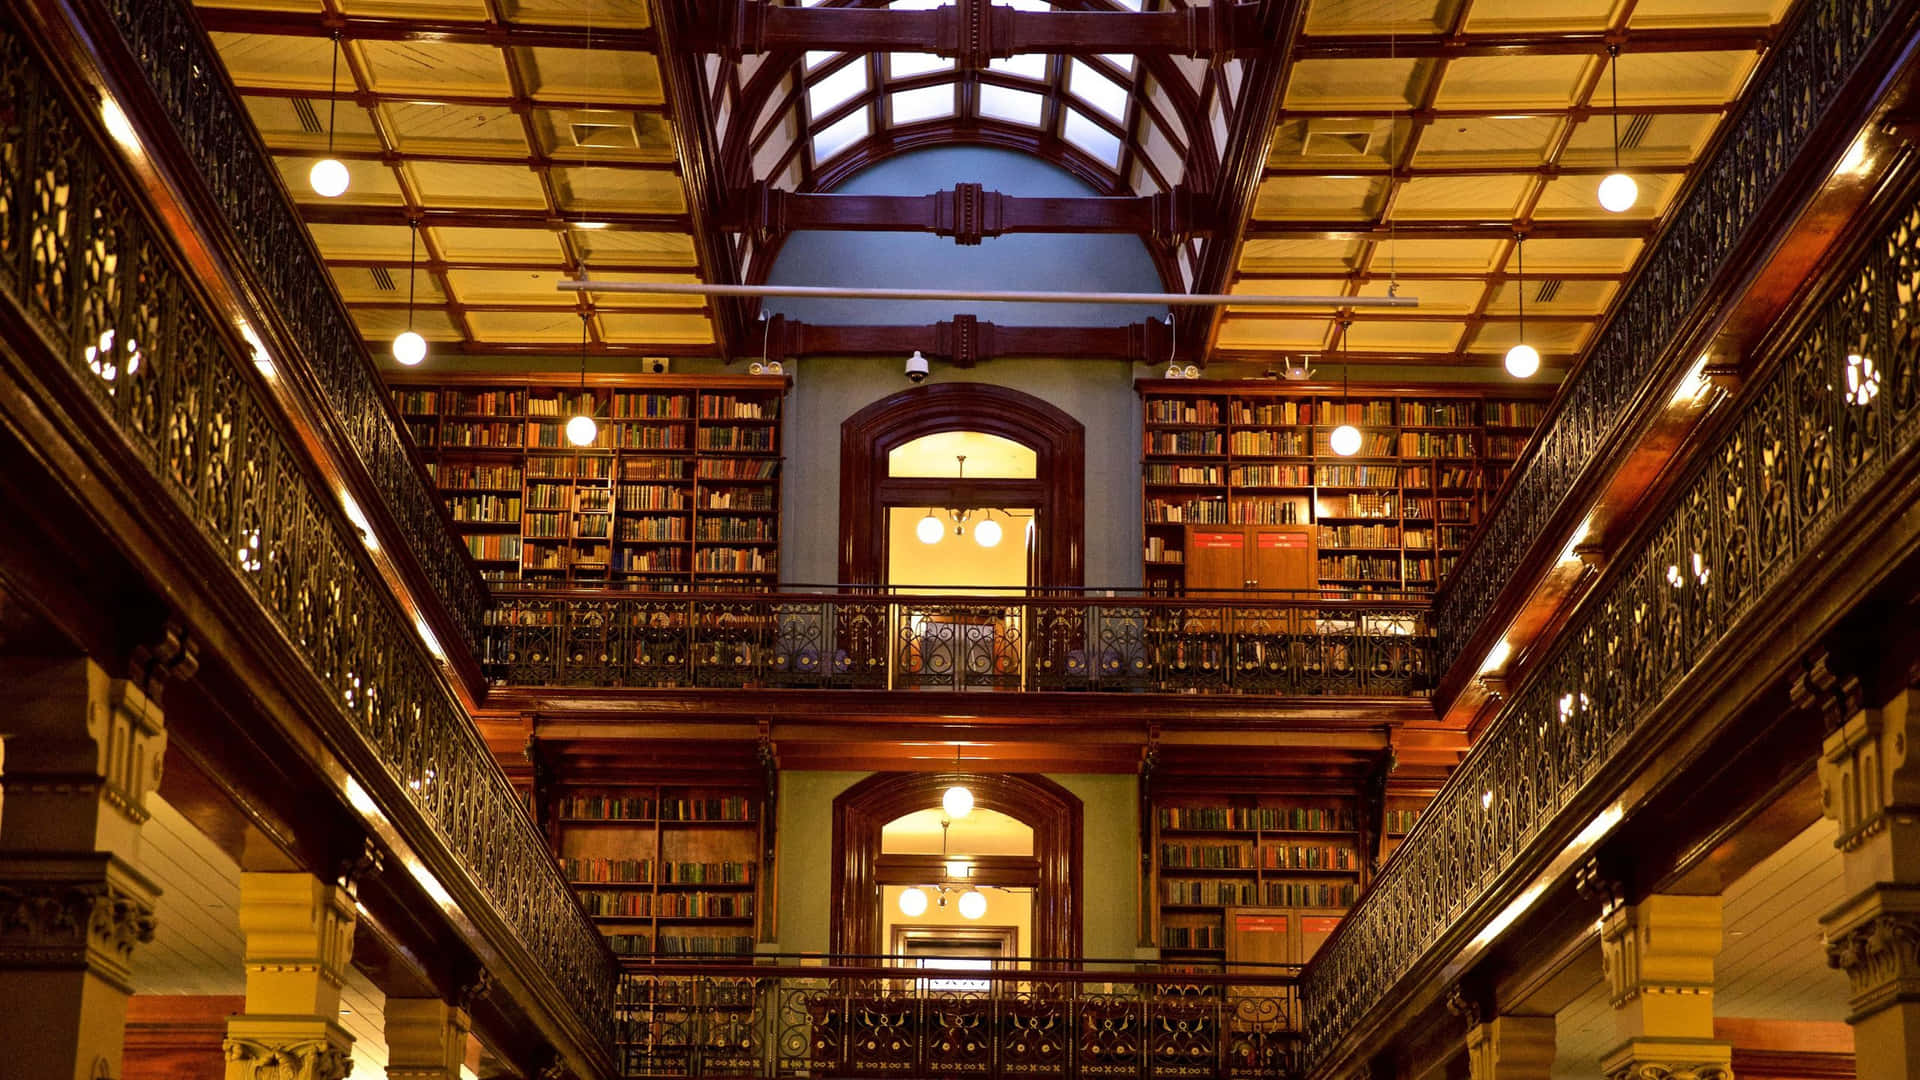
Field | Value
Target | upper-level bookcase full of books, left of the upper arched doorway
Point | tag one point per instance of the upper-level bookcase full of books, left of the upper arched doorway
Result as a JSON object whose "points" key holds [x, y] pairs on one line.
{"points": [[681, 491]]}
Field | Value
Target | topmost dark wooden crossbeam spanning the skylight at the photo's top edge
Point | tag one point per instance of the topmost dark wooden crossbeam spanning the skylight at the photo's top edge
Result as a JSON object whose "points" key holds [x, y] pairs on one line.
{"points": [[976, 34]]}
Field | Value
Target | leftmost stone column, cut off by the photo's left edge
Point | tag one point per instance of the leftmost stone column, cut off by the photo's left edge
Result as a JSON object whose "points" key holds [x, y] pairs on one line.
{"points": [[80, 752]]}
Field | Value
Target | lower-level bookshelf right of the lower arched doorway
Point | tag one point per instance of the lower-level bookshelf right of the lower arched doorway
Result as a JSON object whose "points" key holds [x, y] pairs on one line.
{"points": [[1239, 879]]}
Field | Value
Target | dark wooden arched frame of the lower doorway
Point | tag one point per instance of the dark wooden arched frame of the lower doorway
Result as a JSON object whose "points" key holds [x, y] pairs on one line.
{"points": [[861, 814]]}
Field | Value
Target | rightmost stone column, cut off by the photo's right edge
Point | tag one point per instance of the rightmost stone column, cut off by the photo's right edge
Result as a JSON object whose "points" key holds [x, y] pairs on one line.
{"points": [[1871, 785]]}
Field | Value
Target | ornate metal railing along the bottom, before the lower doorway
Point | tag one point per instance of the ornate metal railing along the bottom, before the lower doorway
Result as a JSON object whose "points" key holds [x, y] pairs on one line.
{"points": [[990, 1025]]}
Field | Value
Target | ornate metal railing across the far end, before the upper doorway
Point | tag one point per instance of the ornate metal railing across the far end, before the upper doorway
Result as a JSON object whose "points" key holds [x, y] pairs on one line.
{"points": [[913, 643]]}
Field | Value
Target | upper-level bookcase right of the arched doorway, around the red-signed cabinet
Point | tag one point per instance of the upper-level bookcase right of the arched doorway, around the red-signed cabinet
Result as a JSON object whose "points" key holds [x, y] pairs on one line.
{"points": [[1391, 518]]}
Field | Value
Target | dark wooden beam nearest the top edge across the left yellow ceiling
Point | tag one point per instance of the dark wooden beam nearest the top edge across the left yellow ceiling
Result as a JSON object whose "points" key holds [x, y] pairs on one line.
{"points": [[444, 32]]}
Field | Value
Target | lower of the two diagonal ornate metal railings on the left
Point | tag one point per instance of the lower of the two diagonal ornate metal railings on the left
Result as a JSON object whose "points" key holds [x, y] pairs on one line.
{"points": [[99, 283]]}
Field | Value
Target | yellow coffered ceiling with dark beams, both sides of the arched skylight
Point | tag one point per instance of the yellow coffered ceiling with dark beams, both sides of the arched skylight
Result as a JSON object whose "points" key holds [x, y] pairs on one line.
{"points": [[1414, 141]]}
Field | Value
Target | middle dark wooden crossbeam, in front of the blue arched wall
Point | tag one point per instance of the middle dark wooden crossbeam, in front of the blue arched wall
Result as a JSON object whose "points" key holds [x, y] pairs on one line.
{"points": [[965, 212]]}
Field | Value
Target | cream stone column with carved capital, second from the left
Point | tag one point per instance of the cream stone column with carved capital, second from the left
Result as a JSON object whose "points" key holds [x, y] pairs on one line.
{"points": [[299, 945]]}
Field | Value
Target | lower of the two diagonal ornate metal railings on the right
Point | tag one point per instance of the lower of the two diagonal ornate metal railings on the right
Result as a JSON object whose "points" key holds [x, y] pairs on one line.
{"points": [[1808, 449]]}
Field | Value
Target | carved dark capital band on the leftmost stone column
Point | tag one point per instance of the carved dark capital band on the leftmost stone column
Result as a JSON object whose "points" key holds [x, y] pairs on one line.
{"points": [[76, 914]]}
